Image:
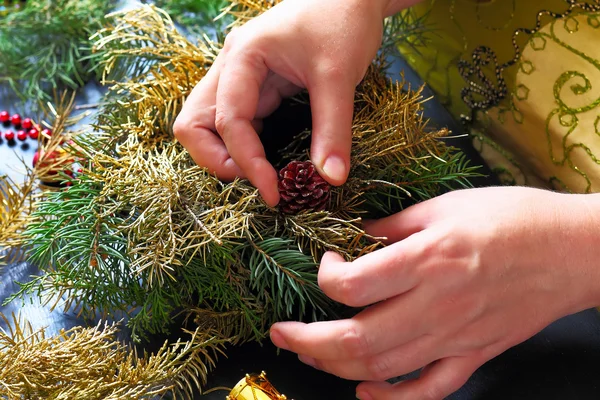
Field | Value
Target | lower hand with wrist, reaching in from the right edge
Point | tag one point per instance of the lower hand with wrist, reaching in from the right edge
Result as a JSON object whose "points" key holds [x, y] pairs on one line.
{"points": [[466, 276]]}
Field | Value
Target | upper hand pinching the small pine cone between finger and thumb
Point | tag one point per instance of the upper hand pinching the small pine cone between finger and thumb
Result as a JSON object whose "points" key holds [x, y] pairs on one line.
{"points": [[323, 46]]}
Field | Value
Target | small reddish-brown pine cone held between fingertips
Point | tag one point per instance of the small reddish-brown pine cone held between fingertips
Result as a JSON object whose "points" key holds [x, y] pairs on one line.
{"points": [[302, 188]]}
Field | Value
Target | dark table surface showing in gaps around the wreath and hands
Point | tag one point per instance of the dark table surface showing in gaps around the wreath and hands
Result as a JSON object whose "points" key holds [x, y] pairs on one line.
{"points": [[561, 362]]}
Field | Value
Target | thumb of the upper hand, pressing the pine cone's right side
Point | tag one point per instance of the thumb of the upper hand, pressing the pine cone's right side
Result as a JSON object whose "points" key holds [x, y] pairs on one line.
{"points": [[332, 105]]}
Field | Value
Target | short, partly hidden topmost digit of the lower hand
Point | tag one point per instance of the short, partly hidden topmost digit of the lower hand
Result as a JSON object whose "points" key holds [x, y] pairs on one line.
{"points": [[401, 225]]}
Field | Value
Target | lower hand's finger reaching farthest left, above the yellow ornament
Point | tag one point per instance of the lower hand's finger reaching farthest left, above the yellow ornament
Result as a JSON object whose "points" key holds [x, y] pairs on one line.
{"points": [[373, 331]]}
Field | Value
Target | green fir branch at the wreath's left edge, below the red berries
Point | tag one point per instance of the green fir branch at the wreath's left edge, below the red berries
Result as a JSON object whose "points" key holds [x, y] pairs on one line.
{"points": [[82, 254]]}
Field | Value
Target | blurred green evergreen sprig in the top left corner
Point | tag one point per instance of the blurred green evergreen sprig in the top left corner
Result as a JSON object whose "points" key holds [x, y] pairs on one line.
{"points": [[44, 45]]}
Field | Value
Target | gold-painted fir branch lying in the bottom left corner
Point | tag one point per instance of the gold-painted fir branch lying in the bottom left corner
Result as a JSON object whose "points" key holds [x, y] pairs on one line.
{"points": [[89, 363]]}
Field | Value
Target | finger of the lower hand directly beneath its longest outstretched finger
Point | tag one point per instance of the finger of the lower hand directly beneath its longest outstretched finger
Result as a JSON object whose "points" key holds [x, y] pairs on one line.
{"points": [[396, 362]]}
